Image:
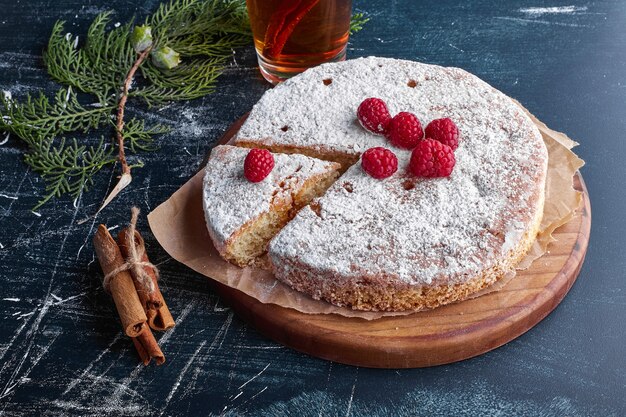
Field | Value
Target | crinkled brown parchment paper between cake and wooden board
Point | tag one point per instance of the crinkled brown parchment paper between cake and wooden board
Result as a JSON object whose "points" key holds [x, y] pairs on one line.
{"points": [[178, 225]]}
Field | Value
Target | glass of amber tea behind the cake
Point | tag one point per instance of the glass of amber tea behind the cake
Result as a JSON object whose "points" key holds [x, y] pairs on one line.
{"points": [[293, 35]]}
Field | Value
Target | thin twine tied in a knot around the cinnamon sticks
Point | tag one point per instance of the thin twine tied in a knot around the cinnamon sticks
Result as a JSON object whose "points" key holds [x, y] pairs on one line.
{"points": [[134, 261]]}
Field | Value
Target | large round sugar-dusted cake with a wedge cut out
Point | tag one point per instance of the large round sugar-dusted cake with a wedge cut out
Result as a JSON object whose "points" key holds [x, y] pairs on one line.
{"points": [[402, 243]]}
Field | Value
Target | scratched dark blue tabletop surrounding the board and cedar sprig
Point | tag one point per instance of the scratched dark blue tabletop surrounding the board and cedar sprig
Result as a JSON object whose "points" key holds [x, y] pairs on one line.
{"points": [[61, 348]]}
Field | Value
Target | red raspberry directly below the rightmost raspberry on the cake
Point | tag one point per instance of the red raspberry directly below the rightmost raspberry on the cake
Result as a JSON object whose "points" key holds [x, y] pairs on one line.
{"points": [[431, 158]]}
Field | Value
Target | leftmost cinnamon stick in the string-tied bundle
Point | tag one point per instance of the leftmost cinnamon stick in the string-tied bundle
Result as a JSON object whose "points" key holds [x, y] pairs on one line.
{"points": [[121, 285]]}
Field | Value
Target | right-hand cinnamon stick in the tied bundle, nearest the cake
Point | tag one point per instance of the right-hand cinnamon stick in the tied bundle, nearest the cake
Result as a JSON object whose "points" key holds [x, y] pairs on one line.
{"points": [[159, 316]]}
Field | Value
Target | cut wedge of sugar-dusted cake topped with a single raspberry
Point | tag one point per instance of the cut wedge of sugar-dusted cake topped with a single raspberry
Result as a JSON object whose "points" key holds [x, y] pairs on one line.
{"points": [[243, 216]]}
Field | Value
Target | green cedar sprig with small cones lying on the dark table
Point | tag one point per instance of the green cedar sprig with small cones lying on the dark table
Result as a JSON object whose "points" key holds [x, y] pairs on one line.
{"points": [[201, 33]]}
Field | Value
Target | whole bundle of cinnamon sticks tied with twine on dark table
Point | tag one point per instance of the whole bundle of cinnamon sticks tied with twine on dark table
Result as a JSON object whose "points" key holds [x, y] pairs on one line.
{"points": [[131, 280]]}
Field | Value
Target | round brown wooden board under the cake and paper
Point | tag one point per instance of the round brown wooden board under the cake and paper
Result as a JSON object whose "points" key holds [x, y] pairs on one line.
{"points": [[444, 335]]}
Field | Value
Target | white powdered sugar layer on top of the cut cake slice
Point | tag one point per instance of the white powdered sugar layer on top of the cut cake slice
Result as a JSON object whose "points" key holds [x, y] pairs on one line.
{"points": [[230, 200]]}
